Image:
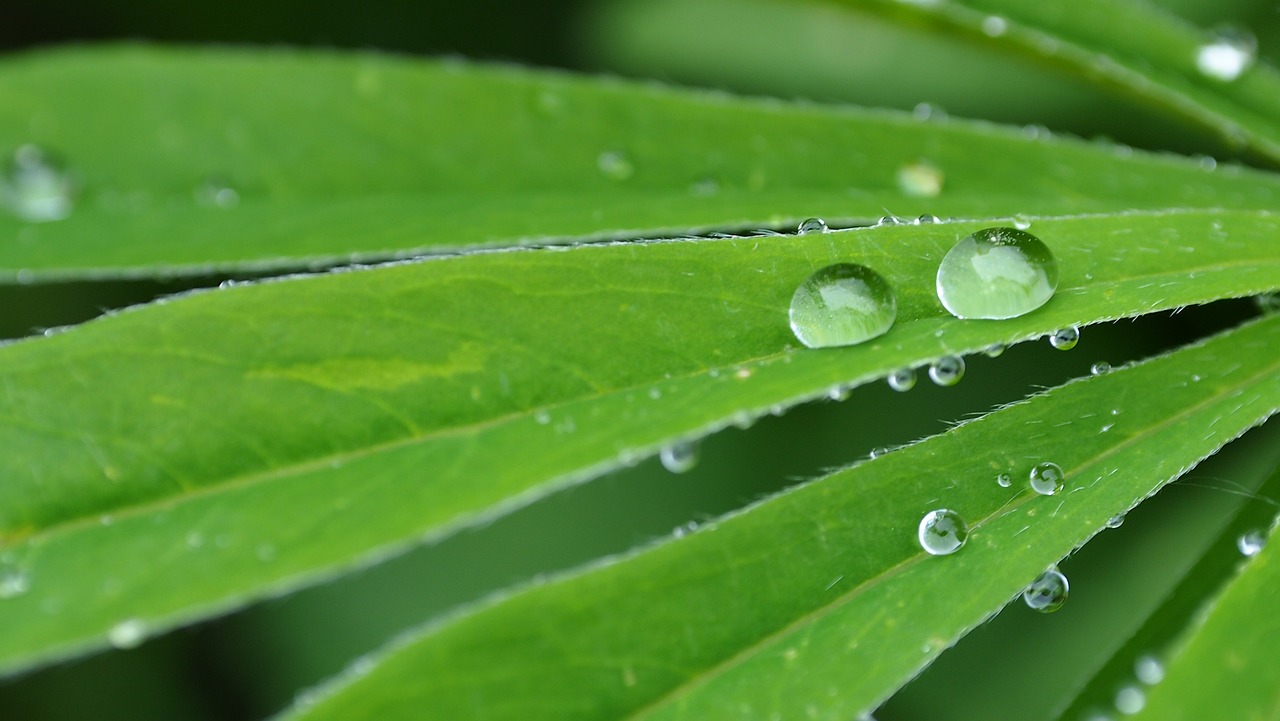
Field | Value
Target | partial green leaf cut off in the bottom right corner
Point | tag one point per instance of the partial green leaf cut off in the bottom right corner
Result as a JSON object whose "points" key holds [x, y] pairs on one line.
{"points": [[1226, 664]]}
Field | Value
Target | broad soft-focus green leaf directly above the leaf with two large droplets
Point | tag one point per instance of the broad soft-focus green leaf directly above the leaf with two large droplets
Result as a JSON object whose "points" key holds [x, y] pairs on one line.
{"points": [[365, 158]]}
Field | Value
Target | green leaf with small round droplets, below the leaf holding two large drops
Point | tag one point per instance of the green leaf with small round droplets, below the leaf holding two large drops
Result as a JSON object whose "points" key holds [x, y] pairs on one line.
{"points": [[820, 603]]}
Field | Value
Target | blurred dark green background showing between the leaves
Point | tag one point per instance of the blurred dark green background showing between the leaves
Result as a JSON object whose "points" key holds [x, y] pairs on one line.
{"points": [[252, 664]]}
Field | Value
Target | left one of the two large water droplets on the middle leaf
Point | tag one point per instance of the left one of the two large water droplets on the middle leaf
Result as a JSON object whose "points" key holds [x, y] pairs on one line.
{"points": [[843, 305]]}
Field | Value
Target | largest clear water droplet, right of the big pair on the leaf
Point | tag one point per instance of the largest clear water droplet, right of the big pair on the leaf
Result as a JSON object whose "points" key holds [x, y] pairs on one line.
{"points": [[996, 273]]}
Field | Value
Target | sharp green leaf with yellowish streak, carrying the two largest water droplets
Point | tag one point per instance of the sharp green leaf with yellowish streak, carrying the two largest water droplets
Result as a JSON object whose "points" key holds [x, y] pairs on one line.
{"points": [[157, 451]]}
